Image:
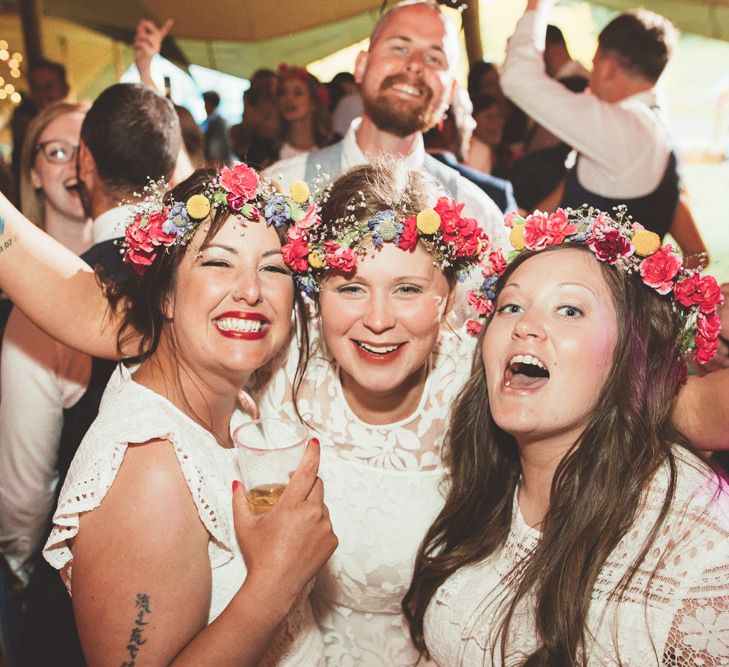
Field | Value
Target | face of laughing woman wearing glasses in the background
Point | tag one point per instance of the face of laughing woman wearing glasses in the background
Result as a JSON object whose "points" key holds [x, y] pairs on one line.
{"points": [[58, 181]]}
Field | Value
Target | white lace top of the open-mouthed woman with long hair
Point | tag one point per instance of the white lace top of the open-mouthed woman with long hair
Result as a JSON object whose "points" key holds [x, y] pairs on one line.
{"points": [[679, 619]]}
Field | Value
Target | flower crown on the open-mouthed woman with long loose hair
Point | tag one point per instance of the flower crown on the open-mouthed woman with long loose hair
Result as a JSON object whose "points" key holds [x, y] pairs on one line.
{"points": [[621, 243]]}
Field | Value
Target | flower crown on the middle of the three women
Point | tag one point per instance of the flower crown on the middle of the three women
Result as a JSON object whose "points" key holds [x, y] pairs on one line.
{"points": [[314, 247]]}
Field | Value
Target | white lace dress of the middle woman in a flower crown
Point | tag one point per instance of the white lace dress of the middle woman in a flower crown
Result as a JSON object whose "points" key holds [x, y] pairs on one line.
{"points": [[383, 488]]}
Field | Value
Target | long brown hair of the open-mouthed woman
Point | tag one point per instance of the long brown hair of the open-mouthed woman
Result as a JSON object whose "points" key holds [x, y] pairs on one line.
{"points": [[596, 491]]}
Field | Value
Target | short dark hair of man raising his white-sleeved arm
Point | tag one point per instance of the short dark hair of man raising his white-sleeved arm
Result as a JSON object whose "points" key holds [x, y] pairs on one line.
{"points": [[642, 41]]}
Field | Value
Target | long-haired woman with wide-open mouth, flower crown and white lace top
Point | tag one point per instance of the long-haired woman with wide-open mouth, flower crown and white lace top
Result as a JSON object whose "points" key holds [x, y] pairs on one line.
{"points": [[580, 527]]}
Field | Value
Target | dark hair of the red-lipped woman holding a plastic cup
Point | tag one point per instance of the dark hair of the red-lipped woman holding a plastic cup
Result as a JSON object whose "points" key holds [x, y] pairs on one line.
{"points": [[143, 298]]}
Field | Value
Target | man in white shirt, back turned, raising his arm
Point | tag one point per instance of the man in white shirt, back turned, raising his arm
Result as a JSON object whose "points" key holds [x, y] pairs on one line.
{"points": [[624, 150]]}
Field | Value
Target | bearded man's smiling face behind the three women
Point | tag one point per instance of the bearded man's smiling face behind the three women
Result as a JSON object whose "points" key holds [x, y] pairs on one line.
{"points": [[407, 76]]}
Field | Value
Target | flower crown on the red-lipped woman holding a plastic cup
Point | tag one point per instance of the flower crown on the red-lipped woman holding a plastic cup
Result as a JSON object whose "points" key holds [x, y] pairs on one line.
{"points": [[158, 225]]}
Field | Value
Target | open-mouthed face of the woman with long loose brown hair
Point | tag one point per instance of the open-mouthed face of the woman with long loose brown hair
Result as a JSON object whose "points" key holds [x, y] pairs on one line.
{"points": [[549, 348]]}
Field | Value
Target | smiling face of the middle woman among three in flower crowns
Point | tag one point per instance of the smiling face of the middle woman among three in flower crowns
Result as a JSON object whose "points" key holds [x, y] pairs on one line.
{"points": [[381, 324]]}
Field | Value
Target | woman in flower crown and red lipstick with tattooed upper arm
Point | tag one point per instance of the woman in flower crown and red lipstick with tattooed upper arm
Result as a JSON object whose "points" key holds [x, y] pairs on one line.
{"points": [[165, 563]]}
